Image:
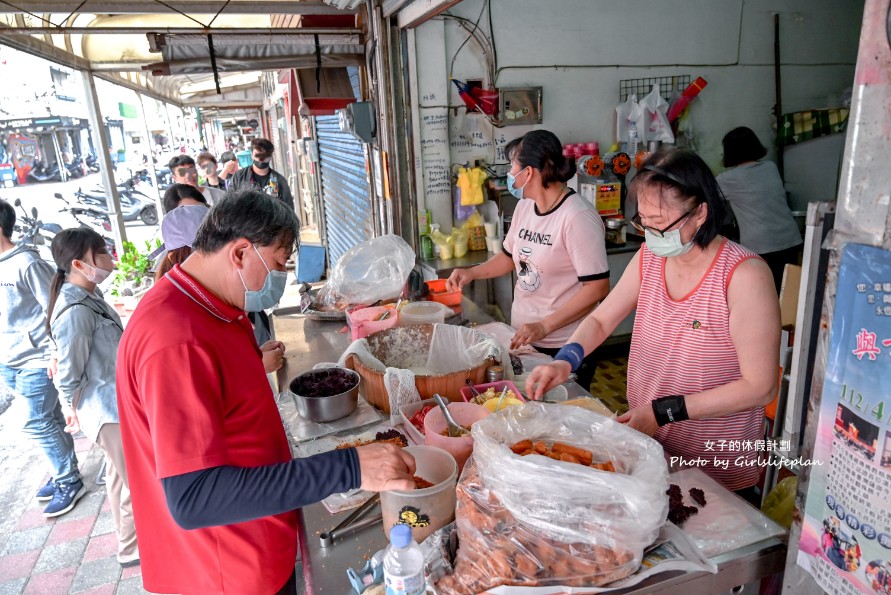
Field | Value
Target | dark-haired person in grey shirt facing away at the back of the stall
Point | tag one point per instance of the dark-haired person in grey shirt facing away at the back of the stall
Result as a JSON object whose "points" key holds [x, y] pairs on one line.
{"points": [[755, 191]]}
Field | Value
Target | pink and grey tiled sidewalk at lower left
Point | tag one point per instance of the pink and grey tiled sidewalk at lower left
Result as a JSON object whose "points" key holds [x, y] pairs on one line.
{"points": [[72, 553]]}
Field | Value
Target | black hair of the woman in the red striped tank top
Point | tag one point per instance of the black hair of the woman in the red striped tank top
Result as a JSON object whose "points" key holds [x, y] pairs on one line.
{"points": [[688, 178]]}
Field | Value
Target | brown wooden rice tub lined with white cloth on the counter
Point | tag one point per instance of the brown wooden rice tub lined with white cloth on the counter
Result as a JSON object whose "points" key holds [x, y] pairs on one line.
{"points": [[383, 345]]}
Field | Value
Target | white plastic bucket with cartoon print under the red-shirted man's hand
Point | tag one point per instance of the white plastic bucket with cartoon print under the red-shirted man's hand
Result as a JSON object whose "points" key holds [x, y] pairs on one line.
{"points": [[428, 509]]}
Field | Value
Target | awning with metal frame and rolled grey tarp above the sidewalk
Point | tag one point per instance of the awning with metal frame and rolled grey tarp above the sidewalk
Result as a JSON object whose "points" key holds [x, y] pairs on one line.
{"points": [[151, 48]]}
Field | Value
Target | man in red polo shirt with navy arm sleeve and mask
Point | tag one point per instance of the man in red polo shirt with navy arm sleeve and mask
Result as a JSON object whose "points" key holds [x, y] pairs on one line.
{"points": [[213, 484]]}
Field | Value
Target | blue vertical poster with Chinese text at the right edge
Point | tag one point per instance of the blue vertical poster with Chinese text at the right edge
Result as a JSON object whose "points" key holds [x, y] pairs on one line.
{"points": [[846, 532]]}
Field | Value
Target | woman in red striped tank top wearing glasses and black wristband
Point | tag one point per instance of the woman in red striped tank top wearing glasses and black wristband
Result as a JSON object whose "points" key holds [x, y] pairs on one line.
{"points": [[703, 353]]}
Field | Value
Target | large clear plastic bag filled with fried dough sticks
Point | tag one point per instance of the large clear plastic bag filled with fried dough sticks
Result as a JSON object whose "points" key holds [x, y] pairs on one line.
{"points": [[531, 519]]}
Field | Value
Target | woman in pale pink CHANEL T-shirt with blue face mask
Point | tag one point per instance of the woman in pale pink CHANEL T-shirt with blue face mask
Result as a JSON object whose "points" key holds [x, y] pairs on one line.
{"points": [[556, 245]]}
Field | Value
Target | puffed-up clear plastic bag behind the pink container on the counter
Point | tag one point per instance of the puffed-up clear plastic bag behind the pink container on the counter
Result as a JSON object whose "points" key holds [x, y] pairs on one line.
{"points": [[371, 271]]}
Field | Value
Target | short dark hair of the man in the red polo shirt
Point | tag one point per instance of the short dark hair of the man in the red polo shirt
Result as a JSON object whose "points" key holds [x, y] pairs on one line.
{"points": [[249, 214]]}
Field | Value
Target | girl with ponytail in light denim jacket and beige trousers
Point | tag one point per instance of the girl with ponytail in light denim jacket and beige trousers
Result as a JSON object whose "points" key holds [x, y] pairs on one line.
{"points": [[86, 332]]}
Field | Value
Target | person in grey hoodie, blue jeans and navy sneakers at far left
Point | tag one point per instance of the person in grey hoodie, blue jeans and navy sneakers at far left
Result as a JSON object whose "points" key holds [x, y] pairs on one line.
{"points": [[25, 354]]}
